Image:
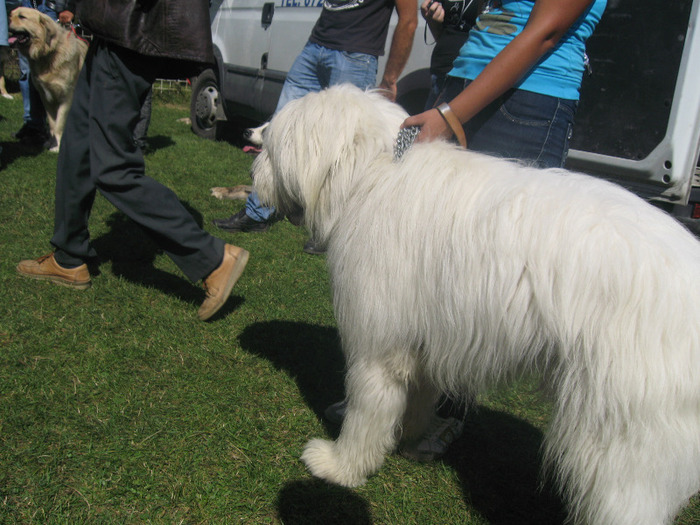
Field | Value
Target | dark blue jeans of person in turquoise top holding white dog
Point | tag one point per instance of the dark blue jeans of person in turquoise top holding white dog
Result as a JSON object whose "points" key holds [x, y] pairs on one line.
{"points": [[519, 125]]}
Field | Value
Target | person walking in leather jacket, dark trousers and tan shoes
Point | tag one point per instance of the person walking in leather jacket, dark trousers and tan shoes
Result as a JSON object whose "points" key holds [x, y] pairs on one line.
{"points": [[133, 44]]}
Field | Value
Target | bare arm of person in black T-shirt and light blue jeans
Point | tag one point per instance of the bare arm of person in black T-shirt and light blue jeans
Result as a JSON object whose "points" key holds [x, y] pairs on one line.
{"points": [[401, 44]]}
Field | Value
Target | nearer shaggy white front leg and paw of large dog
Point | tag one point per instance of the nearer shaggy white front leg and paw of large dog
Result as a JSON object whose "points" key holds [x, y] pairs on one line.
{"points": [[376, 404]]}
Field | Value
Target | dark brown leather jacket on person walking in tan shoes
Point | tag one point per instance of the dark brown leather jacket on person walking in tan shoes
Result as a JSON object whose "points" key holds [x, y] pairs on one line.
{"points": [[167, 29]]}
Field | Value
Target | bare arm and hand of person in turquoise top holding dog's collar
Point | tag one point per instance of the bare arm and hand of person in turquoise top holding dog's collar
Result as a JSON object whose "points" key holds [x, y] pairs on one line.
{"points": [[549, 21]]}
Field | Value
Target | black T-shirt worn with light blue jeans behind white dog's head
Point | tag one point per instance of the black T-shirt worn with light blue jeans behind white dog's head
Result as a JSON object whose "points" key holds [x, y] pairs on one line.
{"points": [[355, 26]]}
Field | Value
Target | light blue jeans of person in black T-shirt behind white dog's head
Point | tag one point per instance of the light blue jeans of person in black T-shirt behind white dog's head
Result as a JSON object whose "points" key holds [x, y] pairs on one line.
{"points": [[317, 68]]}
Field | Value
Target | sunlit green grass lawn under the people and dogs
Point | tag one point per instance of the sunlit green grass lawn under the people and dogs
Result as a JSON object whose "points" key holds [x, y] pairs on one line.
{"points": [[118, 406]]}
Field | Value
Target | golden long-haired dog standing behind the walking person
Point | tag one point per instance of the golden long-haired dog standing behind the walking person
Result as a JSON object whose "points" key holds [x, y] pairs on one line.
{"points": [[55, 56]]}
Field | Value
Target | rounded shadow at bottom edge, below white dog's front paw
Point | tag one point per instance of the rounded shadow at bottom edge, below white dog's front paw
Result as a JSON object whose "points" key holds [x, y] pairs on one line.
{"points": [[310, 502]]}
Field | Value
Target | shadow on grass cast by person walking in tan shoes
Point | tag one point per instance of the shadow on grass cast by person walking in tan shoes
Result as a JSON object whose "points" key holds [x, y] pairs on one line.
{"points": [[132, 253]]}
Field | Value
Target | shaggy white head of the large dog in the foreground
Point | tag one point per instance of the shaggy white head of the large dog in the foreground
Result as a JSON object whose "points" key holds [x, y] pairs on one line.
{"points": [[316, 147]]}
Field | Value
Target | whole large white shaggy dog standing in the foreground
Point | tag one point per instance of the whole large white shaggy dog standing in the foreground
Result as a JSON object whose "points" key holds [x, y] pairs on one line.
{"points": [[452, 271]]}
